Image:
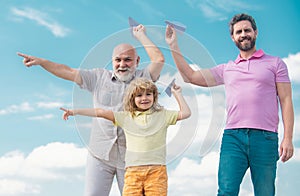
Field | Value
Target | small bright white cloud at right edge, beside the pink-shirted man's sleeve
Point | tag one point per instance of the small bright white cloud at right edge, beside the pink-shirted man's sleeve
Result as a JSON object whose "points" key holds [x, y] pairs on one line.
{"points": [[293, 64]]}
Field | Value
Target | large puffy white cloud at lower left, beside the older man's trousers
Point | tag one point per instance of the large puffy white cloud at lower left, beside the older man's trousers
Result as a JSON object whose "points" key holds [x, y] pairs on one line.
{"points": [[44, 162]]}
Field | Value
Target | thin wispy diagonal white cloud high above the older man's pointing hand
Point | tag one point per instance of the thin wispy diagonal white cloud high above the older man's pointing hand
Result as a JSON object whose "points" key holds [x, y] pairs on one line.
{"points": [[41, 18]]}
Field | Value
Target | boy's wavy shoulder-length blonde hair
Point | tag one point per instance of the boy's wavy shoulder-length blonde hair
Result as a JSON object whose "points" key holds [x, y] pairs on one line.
{"points": [[139, 85]]}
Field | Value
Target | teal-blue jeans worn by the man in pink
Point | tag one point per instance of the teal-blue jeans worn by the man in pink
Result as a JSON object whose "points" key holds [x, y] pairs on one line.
{"points": [[248, 148]]}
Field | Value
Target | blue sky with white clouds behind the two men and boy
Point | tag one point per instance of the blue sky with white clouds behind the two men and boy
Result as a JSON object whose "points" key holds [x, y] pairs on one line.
{"points": [[41, 154]]}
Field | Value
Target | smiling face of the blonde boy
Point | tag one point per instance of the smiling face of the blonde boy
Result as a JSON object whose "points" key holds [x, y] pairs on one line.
{"points": [[144, 100]]}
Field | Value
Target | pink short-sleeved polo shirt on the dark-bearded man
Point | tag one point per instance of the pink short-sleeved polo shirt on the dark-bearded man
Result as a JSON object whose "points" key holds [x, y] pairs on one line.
{"points": [[250, 86]]}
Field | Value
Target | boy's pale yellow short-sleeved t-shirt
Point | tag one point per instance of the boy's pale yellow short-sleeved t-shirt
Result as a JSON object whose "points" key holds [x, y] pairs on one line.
{"points": [[145, 135]]}
